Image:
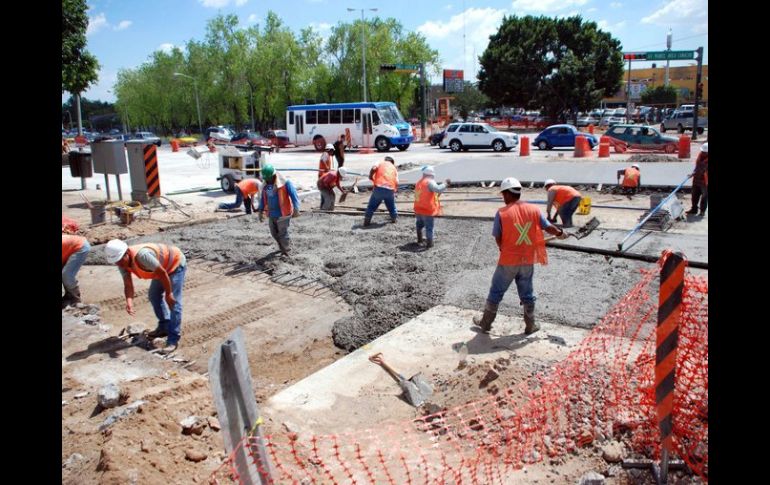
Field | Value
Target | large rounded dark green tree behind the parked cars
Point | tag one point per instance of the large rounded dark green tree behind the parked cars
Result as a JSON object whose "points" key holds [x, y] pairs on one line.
{"points": [[550, 64]]}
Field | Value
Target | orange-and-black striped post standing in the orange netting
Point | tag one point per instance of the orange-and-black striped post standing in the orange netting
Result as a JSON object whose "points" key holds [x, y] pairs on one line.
{"points": [[667, 338]]}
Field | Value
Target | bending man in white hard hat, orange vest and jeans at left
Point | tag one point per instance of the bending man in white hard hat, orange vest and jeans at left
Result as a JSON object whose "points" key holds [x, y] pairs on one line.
{"points": [[165, 266]]}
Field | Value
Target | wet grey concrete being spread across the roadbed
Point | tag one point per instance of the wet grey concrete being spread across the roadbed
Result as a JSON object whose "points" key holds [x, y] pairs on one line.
{"points": [[387, 279]]}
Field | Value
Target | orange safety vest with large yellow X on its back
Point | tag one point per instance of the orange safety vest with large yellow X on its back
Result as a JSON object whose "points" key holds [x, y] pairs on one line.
{"points": [[523, 241]]}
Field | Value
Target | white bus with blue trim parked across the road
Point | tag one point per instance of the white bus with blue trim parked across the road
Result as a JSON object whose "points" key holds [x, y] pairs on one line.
{"points": [[378, 125]]}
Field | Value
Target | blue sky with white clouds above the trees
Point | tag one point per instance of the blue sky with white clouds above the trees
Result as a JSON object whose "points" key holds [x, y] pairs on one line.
{"points": [[123, 34]]}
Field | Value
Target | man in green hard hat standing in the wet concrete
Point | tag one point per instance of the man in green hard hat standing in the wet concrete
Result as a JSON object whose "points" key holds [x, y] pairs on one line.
{"points": [[279, 198]]}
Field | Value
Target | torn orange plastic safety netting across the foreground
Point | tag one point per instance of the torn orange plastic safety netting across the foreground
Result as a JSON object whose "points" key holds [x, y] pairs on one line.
{"points": [[603, 389]]}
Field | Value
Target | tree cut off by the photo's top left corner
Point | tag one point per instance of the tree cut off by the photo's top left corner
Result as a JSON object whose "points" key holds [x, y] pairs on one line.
{"points": [[79, 67]]}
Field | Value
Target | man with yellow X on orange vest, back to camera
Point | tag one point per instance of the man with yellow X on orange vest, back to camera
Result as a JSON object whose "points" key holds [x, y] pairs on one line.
{"points": [[518, 231]]}
